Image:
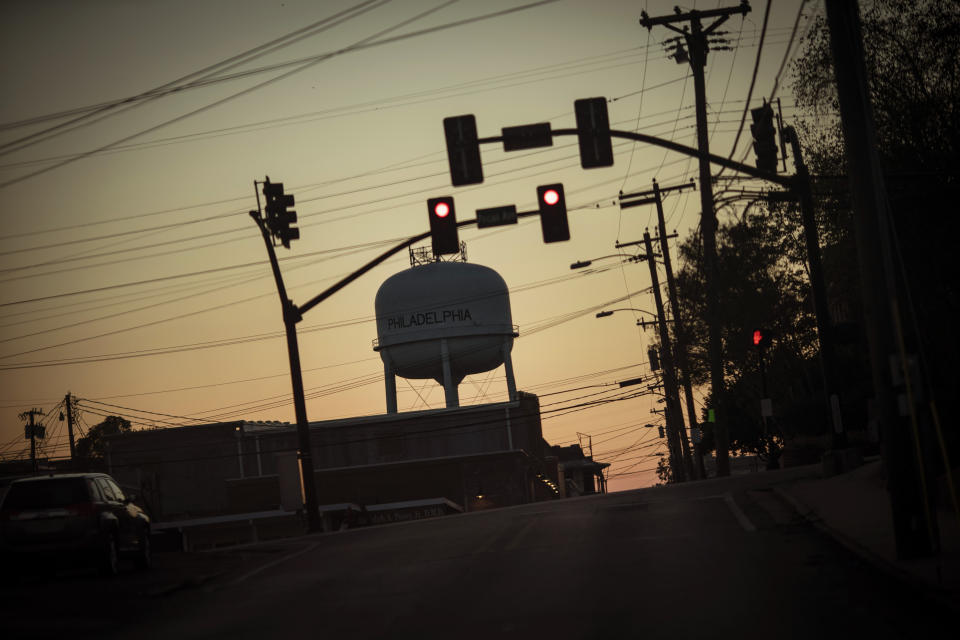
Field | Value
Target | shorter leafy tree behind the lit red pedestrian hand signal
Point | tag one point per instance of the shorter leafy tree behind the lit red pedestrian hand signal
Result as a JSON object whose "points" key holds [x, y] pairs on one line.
{"points": [[764, 286]]}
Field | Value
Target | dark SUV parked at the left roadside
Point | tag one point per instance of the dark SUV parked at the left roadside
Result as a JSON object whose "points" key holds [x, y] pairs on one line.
{"points": [[80, 515]]}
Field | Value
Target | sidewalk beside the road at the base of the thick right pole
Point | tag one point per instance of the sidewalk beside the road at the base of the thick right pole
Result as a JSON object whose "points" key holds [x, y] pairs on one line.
{"points": [[854, 508]]}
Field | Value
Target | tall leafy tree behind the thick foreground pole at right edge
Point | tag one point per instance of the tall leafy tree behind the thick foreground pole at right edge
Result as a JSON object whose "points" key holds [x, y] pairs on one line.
{"points": [[912, 57]]}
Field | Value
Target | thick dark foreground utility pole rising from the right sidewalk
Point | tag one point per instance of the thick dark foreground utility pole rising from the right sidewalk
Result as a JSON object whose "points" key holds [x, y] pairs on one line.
{"points": [[914, 523]]}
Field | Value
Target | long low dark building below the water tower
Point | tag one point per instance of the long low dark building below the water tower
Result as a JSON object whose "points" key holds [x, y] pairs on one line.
{"points": [[476, 457]]}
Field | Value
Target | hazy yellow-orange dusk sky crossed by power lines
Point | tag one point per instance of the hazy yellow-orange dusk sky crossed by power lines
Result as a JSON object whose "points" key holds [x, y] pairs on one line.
{"points": [[132, 276]]}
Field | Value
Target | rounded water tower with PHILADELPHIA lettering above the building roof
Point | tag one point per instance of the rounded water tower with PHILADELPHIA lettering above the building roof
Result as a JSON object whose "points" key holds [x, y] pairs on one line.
{"points": [[443, 320]]}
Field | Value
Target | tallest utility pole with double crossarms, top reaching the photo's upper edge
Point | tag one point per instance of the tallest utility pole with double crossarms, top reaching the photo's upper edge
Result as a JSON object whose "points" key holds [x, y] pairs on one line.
{"points": [[696, 40]]}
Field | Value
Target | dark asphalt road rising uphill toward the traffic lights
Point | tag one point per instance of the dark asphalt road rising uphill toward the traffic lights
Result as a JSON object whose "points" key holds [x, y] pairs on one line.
{"points": [[718, 559]]}
